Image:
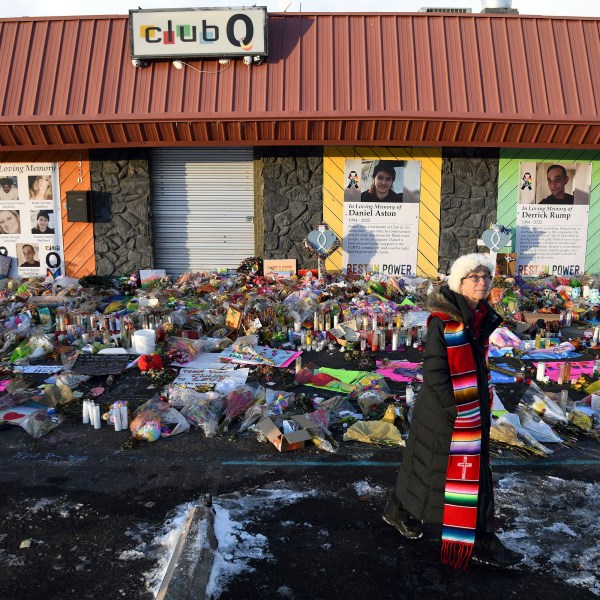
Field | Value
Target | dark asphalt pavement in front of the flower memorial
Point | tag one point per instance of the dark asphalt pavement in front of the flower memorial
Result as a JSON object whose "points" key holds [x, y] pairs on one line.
{"points": [[80, 515]]}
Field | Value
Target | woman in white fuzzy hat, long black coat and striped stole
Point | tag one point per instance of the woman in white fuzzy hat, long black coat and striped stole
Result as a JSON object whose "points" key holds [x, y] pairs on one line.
{"points": [[455, 374]]}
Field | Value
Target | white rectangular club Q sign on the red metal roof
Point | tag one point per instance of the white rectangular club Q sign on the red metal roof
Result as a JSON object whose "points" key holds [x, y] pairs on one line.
{"points": [[202, 32]]}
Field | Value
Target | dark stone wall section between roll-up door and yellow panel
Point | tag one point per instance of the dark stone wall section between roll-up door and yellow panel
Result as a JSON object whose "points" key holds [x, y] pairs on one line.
{"points": [[292, 188]]}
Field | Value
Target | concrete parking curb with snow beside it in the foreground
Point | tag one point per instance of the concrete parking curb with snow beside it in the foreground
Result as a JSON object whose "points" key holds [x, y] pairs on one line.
{"points": [[191, 564]]}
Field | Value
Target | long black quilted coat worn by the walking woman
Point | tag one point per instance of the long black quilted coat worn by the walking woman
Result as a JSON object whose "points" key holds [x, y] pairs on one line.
{"points": [[422, 477]]}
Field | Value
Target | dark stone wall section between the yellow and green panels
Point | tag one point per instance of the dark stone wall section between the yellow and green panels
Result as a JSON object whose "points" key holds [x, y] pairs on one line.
{"points": [[469, 200]]}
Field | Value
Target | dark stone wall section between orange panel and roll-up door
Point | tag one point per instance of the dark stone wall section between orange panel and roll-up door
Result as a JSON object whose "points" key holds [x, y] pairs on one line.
{"points": [[122, 215]]}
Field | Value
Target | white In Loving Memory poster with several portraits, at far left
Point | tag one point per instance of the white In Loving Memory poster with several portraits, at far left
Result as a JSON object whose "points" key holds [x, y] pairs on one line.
{"points": [[28, 220]]}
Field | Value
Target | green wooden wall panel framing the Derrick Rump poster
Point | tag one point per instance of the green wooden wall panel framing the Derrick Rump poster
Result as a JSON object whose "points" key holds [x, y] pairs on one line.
{"points": [[508, 193]]}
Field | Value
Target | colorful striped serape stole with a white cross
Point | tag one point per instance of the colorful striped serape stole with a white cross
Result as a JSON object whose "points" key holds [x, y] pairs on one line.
{"points": [[462, 476]]}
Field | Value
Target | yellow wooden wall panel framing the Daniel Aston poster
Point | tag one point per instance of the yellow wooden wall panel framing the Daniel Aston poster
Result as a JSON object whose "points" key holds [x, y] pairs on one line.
{"points": [[429, 211]]}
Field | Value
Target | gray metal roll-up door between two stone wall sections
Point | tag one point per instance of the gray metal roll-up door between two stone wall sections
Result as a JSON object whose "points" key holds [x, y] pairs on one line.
{"points": [[203, 207]]}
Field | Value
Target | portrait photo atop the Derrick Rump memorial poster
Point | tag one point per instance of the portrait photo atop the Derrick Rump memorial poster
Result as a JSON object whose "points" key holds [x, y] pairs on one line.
{"points": [[555, 184]]}
